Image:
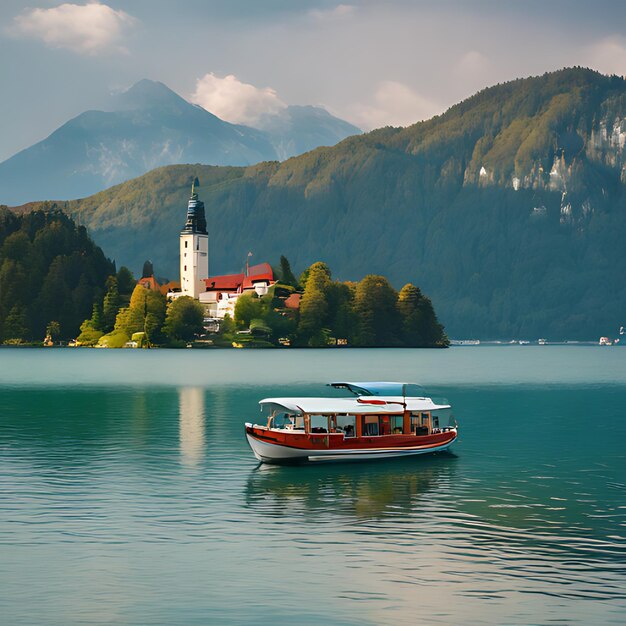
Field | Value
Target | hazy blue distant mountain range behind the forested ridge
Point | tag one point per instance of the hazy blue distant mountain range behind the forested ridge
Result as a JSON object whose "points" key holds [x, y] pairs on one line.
{"points": [[150, 126]]}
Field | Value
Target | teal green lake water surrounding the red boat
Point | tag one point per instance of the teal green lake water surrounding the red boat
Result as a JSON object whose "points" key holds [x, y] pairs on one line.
{"points": [[128, 494]]}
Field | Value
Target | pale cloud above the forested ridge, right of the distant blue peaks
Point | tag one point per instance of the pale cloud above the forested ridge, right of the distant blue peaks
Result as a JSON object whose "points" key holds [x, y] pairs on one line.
{"points": [[393, 104]]}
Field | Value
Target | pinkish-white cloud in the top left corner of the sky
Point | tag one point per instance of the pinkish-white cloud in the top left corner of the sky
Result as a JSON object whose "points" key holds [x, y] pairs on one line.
{"points": [[89, 28]]}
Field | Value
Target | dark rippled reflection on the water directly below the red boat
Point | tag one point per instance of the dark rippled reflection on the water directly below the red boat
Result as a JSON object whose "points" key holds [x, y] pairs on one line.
{"points": [[361, 490]]}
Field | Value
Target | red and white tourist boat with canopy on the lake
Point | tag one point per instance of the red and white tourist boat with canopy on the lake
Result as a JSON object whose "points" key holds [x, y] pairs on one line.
{"points": [[377, 421]]}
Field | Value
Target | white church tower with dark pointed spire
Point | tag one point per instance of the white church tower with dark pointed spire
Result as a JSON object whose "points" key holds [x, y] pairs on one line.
{"points": [[194, 248]]}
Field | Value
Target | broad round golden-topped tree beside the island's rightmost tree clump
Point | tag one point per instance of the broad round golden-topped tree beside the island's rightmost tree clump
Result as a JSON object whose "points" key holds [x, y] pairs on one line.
{"points": [[377, 316]]}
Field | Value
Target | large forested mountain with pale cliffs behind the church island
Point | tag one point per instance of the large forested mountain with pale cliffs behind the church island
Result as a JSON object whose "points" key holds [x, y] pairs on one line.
{"points": [[508, 210]]}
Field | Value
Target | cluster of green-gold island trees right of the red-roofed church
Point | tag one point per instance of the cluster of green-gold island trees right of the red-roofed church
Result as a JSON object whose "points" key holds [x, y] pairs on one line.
{"points": [[370, 313]]}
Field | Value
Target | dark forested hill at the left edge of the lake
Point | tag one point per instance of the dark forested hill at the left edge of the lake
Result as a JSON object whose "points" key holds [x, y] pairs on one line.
{"points": [[50, 274]]}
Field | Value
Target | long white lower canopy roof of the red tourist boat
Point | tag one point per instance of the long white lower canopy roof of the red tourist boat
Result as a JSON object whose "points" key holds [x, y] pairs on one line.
{"points": [[362, 405]]}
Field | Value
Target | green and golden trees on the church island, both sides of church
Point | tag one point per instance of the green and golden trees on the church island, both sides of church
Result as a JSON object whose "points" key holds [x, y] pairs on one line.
{"points": [[329, 313]]}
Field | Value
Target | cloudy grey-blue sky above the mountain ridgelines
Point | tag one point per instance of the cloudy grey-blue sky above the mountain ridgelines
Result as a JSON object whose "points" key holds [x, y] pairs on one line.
{"points": [[371, 63]]}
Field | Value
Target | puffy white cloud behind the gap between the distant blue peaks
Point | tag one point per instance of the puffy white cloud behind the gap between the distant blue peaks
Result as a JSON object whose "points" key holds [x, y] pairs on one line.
{"points": [[235, 101]]}
